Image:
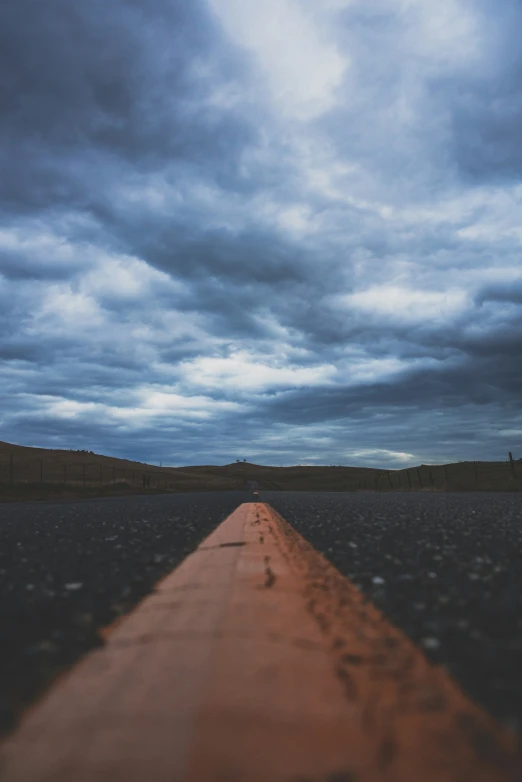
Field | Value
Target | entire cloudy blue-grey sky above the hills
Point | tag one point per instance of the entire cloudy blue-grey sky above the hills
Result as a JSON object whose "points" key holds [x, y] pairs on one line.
{"points": [[286, 231]]}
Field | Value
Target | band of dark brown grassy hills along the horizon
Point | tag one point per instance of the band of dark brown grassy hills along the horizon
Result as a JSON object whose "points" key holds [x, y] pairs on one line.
{"points": [[38, 473]]}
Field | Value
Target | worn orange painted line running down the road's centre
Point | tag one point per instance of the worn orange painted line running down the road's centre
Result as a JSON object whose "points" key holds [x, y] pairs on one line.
{"points": [[256, 661]]}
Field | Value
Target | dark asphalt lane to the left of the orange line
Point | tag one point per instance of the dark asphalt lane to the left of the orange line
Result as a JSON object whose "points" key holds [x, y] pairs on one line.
{"points": [[70, 568]]}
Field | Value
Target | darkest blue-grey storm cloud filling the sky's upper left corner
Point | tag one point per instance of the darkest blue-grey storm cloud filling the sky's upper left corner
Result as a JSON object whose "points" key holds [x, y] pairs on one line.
{"points": [[85, 83]]}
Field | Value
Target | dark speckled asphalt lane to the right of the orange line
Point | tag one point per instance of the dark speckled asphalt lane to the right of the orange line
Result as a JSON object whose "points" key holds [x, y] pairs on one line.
{"points": [[445, 568]]}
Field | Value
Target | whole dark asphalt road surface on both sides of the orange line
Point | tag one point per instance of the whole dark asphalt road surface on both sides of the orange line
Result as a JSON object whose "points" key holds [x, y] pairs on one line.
{"points": [[445, 568]]}
